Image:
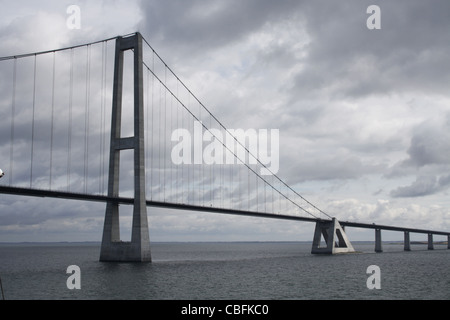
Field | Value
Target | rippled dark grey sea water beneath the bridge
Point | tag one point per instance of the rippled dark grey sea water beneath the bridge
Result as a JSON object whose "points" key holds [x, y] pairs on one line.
{"points": [[228, 271]]}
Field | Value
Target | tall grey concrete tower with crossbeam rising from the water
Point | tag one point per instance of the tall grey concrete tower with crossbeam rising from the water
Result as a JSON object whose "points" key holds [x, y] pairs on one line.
{"points": [[112, 248]]}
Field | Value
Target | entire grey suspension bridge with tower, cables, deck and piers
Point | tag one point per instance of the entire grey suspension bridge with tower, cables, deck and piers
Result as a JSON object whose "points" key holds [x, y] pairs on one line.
{"points": [[64, 141]]}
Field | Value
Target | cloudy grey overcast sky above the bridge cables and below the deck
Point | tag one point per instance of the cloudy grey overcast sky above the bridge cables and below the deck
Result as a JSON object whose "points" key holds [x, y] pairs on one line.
{"points": [[363, 115]]}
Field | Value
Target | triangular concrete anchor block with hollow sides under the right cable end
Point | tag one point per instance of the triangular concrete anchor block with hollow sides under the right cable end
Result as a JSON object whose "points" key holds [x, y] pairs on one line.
{"points": [[334, 236]]}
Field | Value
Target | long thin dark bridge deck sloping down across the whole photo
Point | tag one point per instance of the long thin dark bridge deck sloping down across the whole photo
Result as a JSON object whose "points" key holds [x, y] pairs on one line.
{"points": [[124, 200]]}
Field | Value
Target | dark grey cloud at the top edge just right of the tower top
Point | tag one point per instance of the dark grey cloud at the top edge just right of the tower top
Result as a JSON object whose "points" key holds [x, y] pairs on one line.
{"points": [[199, 26]]}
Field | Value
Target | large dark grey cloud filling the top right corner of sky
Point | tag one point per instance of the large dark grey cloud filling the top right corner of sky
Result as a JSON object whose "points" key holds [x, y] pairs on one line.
{"points": [[410, 52]]}
